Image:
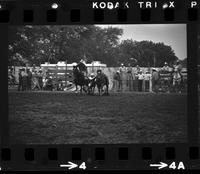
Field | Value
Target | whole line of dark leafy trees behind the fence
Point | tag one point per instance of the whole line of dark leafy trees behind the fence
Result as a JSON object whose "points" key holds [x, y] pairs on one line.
{"points": [[39, 44]]}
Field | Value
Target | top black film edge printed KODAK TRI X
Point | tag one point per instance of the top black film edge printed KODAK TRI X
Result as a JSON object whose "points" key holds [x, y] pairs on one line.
{"points": [[21, 12]]}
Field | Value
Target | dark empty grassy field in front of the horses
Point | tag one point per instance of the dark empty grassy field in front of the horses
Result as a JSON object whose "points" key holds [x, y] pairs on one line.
{"points": [[66, 118]]}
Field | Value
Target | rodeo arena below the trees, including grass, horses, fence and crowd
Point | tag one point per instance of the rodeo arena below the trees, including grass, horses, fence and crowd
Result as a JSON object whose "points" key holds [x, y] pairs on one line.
{"points": [[83, 102]]}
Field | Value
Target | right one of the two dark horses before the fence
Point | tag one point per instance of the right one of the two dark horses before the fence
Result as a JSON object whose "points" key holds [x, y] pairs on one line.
{"points": [[101, 80]]}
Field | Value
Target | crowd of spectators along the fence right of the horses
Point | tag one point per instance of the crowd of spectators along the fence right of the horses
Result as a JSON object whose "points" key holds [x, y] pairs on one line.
{"points": [[135, 79]]}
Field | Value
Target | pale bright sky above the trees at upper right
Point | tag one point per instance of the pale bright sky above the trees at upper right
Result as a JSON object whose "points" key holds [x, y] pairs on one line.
{"points": [[170, 34]]}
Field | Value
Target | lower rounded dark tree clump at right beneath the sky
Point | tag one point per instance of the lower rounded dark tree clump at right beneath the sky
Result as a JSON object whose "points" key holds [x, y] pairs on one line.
{"points": [[146, 53]]}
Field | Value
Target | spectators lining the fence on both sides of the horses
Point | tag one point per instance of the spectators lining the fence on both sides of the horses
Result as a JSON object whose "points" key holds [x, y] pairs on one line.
{"points": [[126, 78]]}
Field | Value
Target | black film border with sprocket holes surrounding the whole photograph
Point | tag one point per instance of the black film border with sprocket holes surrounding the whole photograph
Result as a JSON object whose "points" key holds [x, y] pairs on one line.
{"points": [[125, 154]]}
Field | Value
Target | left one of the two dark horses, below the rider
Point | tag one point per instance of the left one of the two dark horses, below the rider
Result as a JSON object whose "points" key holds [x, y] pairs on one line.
{"points": [[80, 79]]}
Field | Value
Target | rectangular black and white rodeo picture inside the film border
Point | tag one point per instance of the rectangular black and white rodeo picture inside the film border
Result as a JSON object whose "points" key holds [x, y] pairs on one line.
{"points": [[97, 84]]}
